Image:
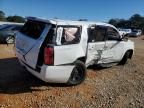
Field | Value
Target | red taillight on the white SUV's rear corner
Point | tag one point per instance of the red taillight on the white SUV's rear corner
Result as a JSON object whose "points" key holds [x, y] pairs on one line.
{"points": [[49, 56]]}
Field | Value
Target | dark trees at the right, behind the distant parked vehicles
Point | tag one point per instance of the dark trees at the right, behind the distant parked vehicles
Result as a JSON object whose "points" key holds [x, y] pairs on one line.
{"points": [[136, 21]]}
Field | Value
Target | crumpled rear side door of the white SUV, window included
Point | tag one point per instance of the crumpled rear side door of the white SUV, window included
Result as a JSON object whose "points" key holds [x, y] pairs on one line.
{"points": [[96, 43]]}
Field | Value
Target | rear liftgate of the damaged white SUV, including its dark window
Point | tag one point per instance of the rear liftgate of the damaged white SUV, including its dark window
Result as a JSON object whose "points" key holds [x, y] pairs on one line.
{"points": [[29, 41]]}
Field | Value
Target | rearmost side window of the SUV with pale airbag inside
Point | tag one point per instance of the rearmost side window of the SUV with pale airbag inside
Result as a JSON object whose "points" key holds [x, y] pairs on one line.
{"points": [[70, 35]]}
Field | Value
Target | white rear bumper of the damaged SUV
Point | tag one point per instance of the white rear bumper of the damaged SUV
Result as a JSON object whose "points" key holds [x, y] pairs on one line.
{"points": [[53, 74]]}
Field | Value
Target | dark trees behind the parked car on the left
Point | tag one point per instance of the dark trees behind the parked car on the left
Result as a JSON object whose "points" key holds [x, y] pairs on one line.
{"points": [[14, 18]]}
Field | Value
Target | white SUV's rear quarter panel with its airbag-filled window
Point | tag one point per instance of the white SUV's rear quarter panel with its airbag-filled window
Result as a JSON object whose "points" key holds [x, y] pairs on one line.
{"points": [[69, 46]]}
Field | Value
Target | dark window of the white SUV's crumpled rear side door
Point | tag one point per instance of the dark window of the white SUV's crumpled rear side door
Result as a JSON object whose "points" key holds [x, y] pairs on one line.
{"points": [[97, 34]]}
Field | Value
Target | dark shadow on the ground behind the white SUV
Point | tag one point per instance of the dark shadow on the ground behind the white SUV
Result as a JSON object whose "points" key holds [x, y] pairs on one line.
{"points": [[14, 79]]}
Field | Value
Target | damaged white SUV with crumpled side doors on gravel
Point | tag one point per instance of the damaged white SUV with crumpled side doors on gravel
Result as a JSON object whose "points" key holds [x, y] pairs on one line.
{"points": [[59, 51]]}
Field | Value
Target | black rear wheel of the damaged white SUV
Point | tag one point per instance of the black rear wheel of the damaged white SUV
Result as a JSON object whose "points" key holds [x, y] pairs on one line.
{"points": [[78, 74]]}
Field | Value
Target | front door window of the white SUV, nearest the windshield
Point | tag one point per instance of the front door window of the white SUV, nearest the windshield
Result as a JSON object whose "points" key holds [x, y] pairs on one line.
{"points": [[112, 34]]}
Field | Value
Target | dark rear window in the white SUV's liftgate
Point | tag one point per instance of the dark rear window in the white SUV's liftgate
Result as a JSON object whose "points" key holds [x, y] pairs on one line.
{"points": [[33, 29]]}
